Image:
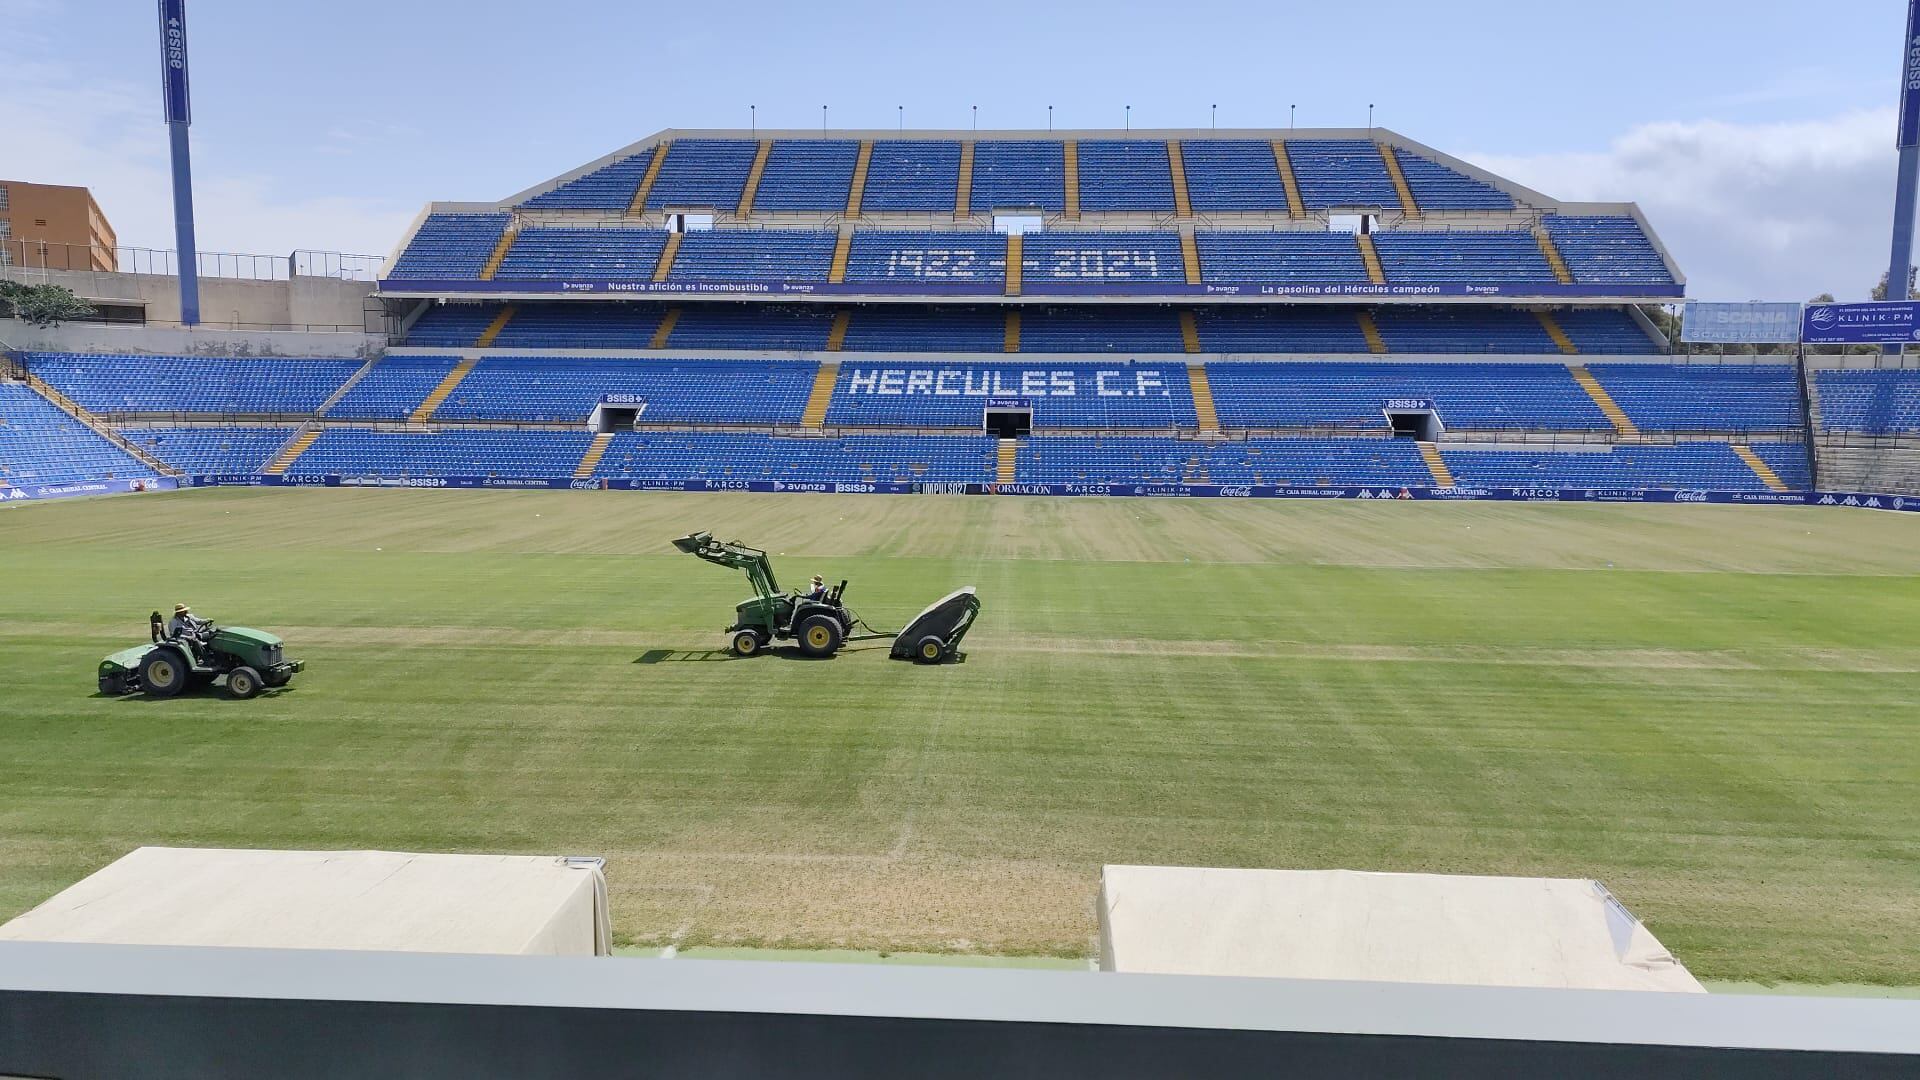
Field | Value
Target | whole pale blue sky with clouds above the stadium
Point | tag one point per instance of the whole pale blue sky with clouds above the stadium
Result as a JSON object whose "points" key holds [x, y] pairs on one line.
{"points": [[1764, 162]]}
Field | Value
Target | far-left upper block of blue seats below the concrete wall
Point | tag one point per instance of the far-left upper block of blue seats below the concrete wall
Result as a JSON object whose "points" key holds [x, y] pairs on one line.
{"points": [[193, 383]]}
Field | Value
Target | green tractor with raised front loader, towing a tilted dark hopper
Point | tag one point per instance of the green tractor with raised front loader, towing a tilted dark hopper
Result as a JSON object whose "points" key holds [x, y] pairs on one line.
{"points": [[823, 626]]}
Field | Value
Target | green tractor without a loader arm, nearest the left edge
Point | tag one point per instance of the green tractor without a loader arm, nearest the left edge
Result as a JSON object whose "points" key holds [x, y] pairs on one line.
{"points": [[168, 666]]}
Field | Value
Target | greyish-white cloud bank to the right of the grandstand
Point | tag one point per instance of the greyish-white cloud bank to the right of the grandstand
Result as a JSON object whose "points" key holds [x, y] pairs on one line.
{"points": [[1750, 212]]}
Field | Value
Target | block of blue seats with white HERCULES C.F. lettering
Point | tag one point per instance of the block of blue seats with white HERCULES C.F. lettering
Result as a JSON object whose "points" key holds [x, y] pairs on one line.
{"points": [[1120, 395]]}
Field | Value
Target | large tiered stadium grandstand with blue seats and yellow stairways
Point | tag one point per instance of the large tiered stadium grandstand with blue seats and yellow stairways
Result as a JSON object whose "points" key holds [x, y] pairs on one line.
{"points": [[1287, 308]]}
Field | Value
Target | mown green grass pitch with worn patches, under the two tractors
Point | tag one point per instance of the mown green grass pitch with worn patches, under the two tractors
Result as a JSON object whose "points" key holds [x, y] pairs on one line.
{"points": [[1714, 710]]}
